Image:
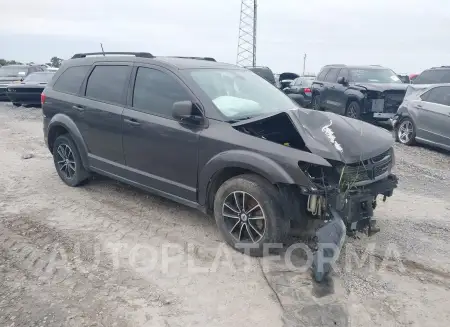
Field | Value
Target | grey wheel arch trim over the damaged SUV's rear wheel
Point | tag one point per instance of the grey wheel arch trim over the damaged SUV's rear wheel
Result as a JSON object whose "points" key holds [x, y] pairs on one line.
{"points": [[62, 124]]}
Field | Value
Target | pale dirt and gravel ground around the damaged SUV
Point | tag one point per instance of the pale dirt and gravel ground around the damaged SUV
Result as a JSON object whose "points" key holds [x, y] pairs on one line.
{"points": [[106, 254]]}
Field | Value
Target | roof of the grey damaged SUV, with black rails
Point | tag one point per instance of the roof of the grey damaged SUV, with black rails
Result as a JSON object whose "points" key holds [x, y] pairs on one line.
{"points": [[175, 62]]}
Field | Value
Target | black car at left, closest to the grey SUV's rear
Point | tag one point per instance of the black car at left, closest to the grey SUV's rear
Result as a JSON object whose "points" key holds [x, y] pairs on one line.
{"points": [[28, 92]]}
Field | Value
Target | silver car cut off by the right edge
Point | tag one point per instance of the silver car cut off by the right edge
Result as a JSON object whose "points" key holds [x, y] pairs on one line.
{"points": [[424, 116]]}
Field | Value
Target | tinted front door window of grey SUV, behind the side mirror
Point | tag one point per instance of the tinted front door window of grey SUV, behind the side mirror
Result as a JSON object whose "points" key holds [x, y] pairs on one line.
{"points": [[155, 92]]}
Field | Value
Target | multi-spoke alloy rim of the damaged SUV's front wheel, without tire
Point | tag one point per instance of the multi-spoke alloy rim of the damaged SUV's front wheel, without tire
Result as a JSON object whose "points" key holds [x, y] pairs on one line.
{"points": [[244, 217]]}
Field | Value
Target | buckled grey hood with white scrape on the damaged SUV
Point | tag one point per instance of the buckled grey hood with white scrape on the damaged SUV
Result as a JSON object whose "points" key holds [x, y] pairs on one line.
{"points": [[340, 138]]}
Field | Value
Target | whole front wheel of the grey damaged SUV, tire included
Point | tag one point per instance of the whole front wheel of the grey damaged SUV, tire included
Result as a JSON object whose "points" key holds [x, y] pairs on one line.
{"points": [[263, 198]]}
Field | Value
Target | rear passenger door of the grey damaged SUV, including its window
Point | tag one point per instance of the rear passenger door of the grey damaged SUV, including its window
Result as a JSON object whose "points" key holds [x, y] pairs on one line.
{"points": [[105, 91]]}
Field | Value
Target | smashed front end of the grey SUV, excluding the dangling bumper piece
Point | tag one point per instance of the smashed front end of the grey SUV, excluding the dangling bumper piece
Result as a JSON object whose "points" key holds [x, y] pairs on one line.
{"points": [[352, 190]]}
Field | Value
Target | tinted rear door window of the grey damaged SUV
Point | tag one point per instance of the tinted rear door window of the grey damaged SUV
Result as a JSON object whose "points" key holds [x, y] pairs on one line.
{"points": [[107, 83]]}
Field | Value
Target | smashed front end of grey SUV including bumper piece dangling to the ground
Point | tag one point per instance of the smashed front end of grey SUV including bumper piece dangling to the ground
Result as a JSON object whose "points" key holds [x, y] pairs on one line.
{"points": [[343, 199]]}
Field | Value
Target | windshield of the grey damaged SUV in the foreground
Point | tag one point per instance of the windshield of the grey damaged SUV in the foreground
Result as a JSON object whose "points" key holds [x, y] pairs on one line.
{"points": [[241, 94]]}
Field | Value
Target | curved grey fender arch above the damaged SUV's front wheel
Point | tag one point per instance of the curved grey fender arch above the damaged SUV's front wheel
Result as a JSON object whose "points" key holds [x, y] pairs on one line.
{"points": [[253, 161]]}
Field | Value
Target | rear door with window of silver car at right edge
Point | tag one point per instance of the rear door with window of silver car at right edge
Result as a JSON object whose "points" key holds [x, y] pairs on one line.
{"points": [[434, 115]]}
